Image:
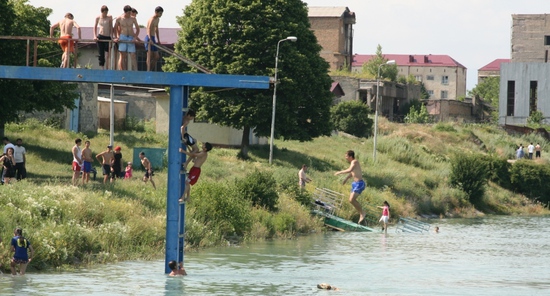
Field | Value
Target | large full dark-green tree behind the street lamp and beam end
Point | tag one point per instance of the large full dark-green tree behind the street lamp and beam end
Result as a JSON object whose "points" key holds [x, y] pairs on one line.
{"points": [[240, 37]]}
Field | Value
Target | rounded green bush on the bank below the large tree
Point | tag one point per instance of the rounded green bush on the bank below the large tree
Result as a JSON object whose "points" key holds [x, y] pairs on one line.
{"points": [[260, 188]]}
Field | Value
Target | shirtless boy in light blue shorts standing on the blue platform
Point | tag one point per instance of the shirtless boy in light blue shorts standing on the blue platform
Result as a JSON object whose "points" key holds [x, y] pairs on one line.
{"points": [[124, 31]]}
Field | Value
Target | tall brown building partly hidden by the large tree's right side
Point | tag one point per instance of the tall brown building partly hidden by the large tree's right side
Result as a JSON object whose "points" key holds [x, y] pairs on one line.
{"points": [[333, 27]]}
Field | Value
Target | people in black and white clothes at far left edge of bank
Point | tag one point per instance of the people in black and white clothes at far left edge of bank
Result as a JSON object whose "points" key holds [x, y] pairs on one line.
{"points": [[13, 161]]}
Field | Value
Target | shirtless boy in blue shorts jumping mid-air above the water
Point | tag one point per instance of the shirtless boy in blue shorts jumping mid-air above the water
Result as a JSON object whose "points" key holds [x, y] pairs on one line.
{"points": [[358, 185]]}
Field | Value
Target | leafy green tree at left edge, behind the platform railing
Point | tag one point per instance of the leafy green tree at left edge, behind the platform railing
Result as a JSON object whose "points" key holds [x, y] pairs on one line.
{"points": [[21, 19]]}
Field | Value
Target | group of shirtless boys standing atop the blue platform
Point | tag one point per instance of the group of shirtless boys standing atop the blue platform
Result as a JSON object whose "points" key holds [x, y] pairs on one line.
{"points": [[123, 31]]}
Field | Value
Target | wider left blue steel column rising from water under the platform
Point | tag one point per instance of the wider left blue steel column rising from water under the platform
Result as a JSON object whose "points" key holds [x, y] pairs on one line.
{"points": [[174, 166]]}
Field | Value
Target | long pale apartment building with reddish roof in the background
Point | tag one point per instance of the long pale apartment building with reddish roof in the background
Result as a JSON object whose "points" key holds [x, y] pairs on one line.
{"points": [[442, 76]]}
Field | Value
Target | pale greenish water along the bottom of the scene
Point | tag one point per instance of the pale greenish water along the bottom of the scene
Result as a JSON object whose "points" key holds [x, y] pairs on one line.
{"points": [[487, 256]]}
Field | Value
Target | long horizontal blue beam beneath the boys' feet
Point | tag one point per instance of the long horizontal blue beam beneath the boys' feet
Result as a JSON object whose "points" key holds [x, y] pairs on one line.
{"points": [[134, 77]]}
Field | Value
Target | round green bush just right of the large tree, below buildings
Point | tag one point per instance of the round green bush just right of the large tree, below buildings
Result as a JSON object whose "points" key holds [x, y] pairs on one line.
{"points": [[352, 117]]}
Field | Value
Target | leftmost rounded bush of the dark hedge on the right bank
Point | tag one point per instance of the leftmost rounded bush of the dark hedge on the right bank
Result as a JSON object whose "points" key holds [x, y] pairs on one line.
{"points": [[469, 174]]}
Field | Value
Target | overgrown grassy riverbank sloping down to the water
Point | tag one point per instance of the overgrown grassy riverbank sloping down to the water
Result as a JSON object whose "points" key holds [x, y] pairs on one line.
{"points": [[126, 220]]}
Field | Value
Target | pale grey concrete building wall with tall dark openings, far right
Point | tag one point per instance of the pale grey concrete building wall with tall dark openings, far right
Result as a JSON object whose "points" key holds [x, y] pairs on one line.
{"points": [[522, 74]]}
